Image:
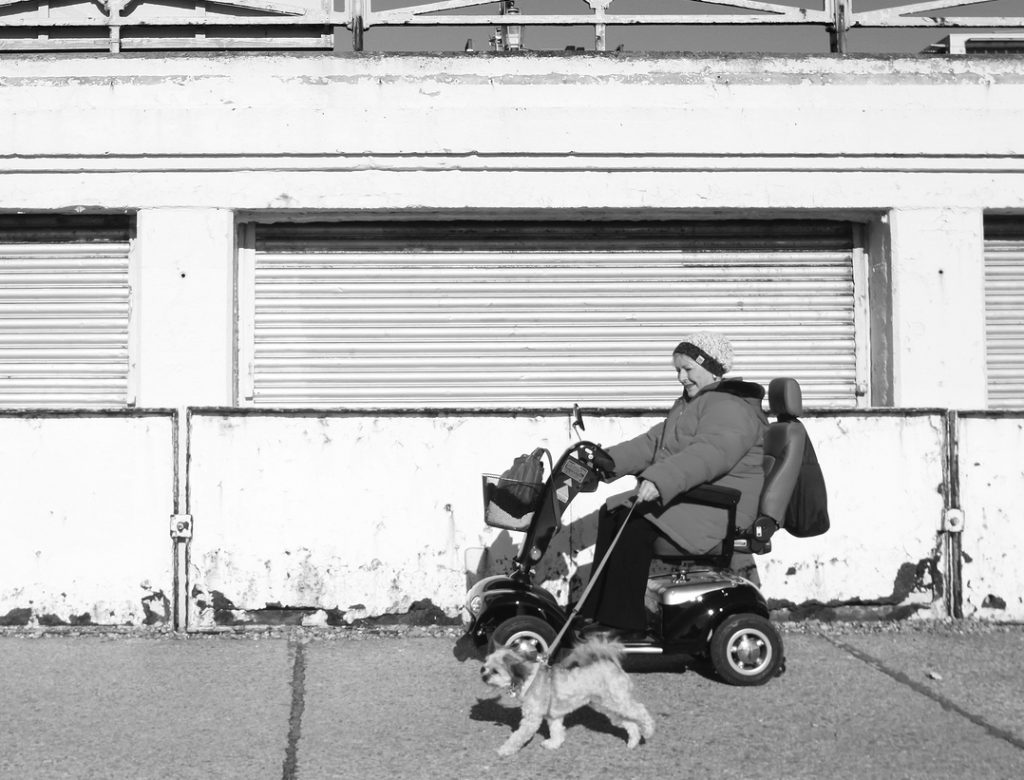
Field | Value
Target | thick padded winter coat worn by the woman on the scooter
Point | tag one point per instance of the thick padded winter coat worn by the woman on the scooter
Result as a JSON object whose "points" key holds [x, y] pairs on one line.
{"points": [[716, 438]]}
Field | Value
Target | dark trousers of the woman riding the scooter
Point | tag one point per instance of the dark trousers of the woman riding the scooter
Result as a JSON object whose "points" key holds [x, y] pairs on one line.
{"points": [[618, 598]]}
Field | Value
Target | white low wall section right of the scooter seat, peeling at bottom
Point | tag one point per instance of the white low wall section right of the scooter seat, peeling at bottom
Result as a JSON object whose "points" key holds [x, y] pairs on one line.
{"points": [[885, 506]]}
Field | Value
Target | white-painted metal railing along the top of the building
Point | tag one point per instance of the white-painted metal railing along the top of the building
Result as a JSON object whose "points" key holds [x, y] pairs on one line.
{"points": [[127, 25]]}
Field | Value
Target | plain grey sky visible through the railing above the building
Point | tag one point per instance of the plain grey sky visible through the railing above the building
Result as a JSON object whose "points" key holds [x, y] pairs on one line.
{"points": [[726, 38]]}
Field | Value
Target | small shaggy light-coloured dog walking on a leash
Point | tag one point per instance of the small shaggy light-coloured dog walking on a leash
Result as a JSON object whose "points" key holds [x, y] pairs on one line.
{"points": [[592, 674]]}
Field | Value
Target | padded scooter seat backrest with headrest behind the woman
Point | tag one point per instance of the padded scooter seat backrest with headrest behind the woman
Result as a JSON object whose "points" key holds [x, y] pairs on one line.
{"points": [[785, 443]]}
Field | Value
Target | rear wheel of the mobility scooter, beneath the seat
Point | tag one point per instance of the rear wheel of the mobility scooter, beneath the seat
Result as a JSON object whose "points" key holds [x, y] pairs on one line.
{"points": [[747, 649]]}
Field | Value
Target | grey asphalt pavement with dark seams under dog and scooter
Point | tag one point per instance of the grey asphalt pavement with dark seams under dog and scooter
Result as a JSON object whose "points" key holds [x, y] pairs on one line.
{"points": [[870, 702]]}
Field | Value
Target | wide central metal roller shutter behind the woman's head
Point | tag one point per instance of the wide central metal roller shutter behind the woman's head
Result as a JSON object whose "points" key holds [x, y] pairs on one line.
{"points": [[465, 315]]}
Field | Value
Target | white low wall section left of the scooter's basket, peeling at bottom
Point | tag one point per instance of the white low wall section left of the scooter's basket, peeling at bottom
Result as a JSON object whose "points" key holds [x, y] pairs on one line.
{"points": [[339, 512]]}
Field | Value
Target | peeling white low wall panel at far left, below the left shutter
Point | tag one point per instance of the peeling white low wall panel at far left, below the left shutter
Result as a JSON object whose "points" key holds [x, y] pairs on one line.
{"points": [[84, 508]]}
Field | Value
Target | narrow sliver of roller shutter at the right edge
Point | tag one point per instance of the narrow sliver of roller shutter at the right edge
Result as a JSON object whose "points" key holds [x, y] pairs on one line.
{"points": [[1005, 312]]}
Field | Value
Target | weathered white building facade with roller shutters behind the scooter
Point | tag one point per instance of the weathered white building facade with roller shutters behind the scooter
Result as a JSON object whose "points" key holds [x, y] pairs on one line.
{"points": [[305, 301]]}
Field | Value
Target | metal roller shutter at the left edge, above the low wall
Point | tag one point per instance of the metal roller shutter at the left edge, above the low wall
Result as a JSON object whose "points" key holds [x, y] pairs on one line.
{"points": [[64, 313]]}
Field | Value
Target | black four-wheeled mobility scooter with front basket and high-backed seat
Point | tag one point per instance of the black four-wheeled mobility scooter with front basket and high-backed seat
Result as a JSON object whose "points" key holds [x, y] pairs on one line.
{"points": [[701, 610]]}
